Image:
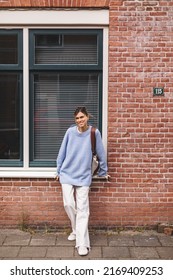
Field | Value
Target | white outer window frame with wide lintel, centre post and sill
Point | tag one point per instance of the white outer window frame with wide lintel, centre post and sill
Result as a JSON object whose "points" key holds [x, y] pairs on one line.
{"points": [[42, 19]]}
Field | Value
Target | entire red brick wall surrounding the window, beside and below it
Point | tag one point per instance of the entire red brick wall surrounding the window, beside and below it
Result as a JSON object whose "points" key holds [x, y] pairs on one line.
{"points": [[140, 126]]}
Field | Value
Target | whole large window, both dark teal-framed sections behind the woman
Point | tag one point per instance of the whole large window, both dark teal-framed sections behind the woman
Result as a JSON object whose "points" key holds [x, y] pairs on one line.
{"points": [[64, 71]]}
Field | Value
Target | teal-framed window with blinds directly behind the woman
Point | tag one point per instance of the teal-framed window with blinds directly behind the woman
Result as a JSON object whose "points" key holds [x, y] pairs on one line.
{"points": [[65, 72]]}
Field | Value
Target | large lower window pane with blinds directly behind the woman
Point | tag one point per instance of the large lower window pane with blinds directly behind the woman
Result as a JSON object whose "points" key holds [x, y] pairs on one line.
{"points": [[55, 98]]}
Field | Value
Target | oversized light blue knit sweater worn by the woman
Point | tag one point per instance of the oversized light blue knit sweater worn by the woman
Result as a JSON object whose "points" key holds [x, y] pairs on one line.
{"points": [[75, 157]]}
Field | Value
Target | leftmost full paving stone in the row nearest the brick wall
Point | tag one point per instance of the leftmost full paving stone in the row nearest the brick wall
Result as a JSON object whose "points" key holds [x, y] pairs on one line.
{"points": [[17, 240]]}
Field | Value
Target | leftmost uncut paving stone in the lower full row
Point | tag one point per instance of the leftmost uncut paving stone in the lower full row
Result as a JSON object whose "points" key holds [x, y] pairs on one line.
{"points": [[32, 252]]}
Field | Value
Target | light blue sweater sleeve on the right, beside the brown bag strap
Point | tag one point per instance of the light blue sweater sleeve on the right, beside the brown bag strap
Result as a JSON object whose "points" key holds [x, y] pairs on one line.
{"points": [[101, 154]]}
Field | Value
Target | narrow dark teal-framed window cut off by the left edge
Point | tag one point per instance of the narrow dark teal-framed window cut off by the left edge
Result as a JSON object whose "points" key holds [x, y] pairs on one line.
{"points": [[11, 98]]}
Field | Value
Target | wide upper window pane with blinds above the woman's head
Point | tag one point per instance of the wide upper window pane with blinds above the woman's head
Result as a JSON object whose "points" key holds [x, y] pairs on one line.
{"points": [[66, 49]]}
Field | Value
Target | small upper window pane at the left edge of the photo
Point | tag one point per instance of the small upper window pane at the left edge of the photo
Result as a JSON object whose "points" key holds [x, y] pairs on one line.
{"points": [[8, 49]]}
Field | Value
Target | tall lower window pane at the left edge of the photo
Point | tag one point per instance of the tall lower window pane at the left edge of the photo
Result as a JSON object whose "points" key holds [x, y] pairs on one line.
{"points": [[9, 116]]}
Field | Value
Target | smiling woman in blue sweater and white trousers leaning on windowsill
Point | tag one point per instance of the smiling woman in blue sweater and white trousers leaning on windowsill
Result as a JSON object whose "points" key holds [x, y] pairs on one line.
{"points": [[75, 175]]}
